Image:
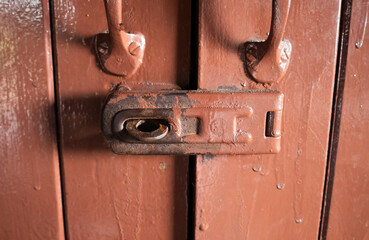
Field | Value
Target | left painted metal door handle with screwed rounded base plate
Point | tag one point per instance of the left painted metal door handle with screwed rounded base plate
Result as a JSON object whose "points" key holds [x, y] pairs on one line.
{"points": [[118, 52]]}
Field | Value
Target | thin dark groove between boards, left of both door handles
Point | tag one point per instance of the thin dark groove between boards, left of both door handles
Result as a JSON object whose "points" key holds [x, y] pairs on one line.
{"points": [[57, 114]]}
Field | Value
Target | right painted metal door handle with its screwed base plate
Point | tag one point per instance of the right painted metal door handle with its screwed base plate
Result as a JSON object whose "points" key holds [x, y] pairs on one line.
{"points": [[267, 62]]}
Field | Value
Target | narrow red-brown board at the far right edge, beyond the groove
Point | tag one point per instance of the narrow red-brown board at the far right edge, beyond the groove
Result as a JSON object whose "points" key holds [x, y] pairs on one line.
{"points": [[349, 211]]}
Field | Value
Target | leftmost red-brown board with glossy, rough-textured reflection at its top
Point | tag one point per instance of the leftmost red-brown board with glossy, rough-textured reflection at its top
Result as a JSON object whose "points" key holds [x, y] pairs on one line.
{"points": [[30, 197]]}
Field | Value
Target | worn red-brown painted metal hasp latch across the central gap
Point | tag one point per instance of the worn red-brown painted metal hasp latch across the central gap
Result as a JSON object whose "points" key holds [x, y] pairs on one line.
{"points": [[193, 122]]}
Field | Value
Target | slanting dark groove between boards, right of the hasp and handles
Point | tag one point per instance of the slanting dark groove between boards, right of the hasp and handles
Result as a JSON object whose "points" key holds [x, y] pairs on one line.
{"points": [[336, 114]]}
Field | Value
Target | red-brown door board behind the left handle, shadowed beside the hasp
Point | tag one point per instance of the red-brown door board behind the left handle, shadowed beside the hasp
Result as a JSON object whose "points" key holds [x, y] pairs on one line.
{"points": [[109, 196]]}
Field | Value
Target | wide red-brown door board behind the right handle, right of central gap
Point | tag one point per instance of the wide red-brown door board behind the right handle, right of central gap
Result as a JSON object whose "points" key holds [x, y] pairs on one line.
{"points": [[237, 197]]}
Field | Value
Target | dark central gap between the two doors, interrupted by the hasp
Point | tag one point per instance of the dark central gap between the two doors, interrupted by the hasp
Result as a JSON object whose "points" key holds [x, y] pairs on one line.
{"points": [[194, 58]]}
